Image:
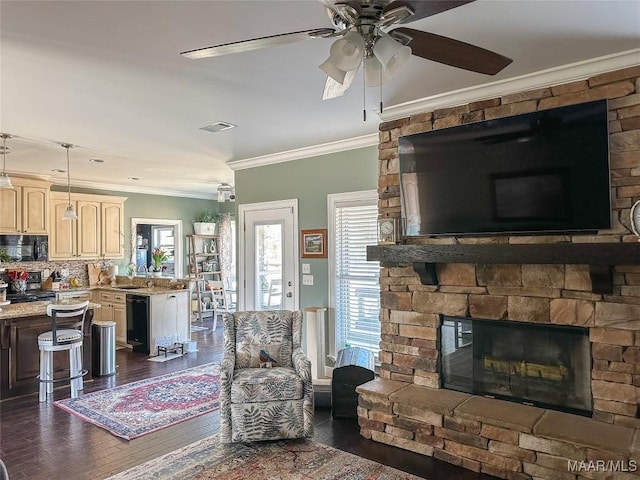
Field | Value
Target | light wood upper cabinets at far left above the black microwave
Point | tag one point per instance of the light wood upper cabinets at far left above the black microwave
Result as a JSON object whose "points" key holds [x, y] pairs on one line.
{"points": [[25, 207]]}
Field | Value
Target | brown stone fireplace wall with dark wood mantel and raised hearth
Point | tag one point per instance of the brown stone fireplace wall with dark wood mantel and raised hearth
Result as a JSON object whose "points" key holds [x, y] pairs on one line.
{"points": [[588, 285]]}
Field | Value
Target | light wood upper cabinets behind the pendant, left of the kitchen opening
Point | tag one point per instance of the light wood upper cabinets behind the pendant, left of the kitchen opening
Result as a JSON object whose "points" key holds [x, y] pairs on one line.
{"points": [[98, 232]]}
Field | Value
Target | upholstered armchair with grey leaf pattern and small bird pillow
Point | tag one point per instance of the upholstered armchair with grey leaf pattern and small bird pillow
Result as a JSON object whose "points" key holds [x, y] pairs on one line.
{"points": [[266, 391]]}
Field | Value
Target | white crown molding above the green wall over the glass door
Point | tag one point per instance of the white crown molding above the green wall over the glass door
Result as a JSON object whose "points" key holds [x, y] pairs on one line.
{"points": [[306, 152]]}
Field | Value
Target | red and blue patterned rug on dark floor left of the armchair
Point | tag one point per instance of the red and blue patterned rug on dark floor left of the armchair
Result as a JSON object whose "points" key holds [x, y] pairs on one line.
{"points": [[138, 408]]}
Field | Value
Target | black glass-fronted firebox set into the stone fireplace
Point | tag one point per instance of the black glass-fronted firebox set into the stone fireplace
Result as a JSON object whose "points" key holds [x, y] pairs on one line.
{"points": [[543, 365]]}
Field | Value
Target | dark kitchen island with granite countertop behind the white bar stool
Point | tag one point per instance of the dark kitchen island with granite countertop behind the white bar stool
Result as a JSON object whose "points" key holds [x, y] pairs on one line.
{"points": [[20, 325]]}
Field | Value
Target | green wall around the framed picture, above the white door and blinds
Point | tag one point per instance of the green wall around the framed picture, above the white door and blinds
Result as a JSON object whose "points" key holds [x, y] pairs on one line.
{"points": [[310, 180]]}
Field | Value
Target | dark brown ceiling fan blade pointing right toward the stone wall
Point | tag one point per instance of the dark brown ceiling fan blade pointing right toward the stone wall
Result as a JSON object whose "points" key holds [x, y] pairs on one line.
{"points": [[451, 52]]}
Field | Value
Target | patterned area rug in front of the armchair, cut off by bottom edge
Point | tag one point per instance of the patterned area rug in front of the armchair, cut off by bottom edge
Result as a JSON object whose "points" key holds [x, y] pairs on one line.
{"points": [[283, 460]]}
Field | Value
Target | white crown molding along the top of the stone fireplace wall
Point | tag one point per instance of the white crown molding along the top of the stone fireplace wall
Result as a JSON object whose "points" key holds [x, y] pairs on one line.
{"points": [[531, 81]]}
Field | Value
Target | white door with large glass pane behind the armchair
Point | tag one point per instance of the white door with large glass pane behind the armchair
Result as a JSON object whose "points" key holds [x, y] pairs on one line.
{"points": [[267, 265]]}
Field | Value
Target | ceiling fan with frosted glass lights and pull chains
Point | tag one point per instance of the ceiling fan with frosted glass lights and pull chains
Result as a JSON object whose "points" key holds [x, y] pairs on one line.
{"points": [[365, 36]]}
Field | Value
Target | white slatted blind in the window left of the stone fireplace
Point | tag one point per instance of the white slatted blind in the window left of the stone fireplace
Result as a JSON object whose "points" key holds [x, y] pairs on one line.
{"points": [[357, 289]]}
